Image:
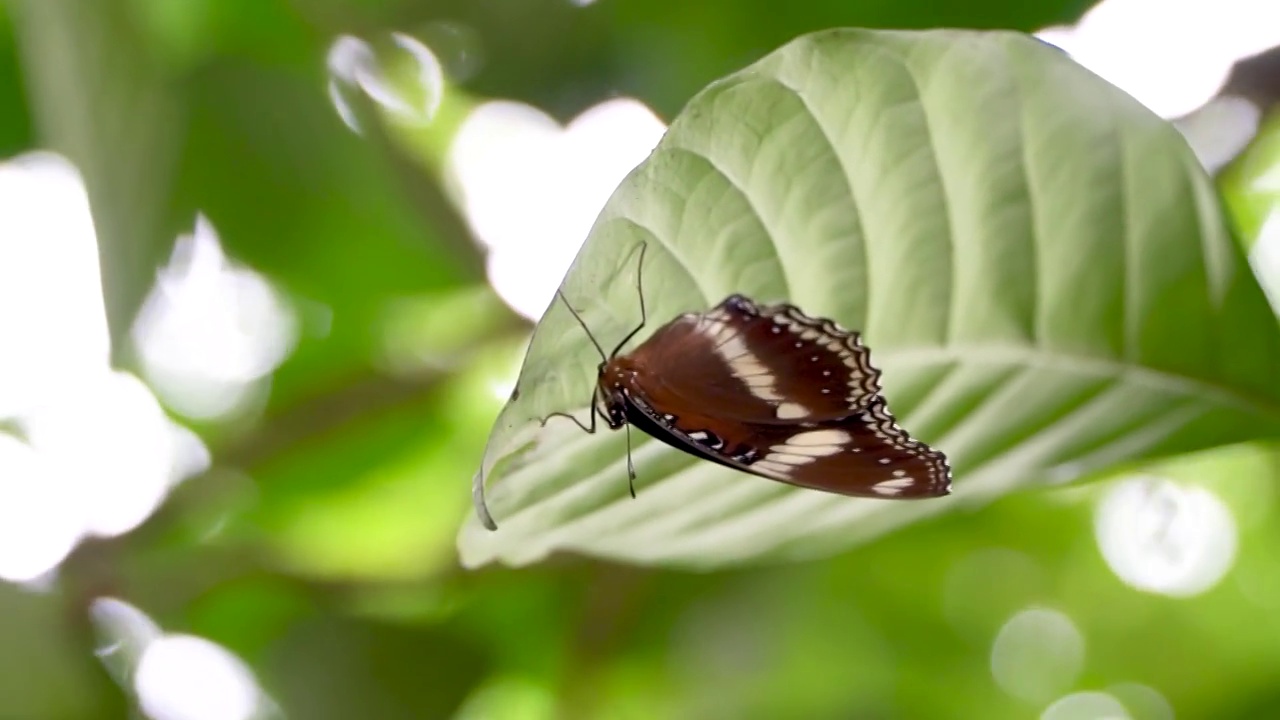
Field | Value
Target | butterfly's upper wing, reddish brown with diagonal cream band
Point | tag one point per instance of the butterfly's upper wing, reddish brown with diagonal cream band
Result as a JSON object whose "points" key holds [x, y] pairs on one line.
{"points": [[760, 364]]}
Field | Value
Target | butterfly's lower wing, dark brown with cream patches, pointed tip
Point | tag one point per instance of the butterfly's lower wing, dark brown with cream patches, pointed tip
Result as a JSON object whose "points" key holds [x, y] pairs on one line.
{"points": [[865, 455]]}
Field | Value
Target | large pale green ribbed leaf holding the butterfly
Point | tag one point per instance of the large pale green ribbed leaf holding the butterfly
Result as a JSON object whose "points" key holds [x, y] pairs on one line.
{"points": [[1039, 265]]}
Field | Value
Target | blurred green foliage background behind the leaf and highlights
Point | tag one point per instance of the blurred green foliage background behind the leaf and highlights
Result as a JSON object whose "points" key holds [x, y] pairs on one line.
{"points": [[321, 548]]}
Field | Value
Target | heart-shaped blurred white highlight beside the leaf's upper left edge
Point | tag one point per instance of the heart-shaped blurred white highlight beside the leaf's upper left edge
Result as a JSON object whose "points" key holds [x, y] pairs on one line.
{"points": [[532, 189]]}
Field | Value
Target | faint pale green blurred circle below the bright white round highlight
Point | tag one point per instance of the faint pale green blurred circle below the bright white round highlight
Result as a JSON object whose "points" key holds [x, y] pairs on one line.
{"points": [[1037, 655]]}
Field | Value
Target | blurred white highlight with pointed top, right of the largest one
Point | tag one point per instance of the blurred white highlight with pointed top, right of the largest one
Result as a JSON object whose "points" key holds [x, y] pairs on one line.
{"points": [[212, 332]]}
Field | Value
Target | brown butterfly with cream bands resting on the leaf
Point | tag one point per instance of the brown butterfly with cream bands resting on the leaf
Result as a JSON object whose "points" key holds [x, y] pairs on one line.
{"points": [[766, 390]]}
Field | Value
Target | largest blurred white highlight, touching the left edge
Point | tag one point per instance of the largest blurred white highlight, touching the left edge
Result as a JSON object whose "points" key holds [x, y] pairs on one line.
{"points": [[97, 454]]}
